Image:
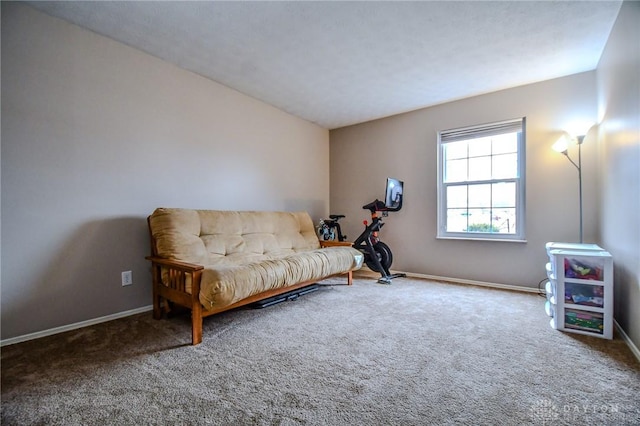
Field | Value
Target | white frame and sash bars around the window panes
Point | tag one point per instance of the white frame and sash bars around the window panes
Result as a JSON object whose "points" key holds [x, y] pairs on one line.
{"points": [[471, 132]]}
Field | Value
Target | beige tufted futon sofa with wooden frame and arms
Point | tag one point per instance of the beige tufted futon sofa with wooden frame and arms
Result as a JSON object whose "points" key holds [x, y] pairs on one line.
{"points": [[211, 261]]}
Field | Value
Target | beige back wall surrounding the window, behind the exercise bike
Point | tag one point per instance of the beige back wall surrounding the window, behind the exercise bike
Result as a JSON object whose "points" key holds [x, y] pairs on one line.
{"points": [[404, 146]]}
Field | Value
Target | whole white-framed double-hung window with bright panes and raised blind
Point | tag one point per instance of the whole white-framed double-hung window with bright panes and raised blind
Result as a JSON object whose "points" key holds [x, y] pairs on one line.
{"points": [[481, 181]]}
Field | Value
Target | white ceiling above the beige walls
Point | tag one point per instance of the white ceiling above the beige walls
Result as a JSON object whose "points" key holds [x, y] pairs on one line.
{"points": [[341, 63]]}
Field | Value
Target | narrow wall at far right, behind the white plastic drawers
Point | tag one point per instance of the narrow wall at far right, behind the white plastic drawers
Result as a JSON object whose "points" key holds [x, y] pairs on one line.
{"points": [[619, 109]]}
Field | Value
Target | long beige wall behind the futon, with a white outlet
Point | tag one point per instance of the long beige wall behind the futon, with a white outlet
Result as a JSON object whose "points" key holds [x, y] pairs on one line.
{"points": [[95, 135]]}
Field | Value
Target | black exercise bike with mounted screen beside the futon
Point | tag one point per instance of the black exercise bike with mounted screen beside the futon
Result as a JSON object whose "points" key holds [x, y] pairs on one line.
{"points": [[377, 255]]}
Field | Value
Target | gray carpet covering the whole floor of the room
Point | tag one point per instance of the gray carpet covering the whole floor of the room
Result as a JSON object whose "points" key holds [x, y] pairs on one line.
{"points": [[411, 353]]}
